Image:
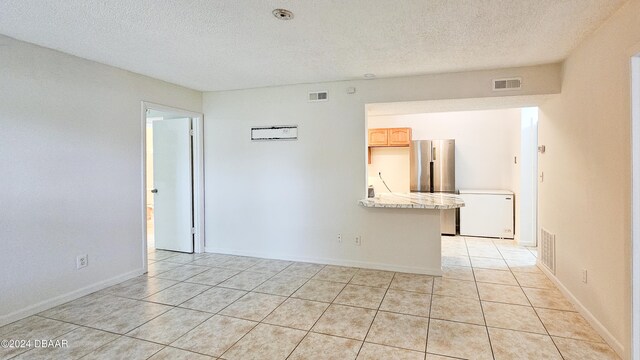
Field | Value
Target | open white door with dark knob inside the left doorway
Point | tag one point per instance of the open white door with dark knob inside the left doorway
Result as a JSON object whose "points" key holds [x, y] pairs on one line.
{"points": [[172, 193]]}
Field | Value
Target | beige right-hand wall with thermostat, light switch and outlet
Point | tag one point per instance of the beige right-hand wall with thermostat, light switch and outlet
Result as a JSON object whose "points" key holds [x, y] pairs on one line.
{"points": [[585, 198]]}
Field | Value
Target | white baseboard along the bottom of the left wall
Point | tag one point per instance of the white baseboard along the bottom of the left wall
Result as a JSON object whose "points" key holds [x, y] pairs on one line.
{"points": [[61, 299]]}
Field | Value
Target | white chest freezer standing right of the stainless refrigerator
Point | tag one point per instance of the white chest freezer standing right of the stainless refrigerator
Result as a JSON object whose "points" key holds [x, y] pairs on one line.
{"points": [[487, 213]]}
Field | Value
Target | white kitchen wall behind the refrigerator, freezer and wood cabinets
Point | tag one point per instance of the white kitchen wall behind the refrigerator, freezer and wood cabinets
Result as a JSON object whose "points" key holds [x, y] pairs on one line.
{"points": [[486, 143]]}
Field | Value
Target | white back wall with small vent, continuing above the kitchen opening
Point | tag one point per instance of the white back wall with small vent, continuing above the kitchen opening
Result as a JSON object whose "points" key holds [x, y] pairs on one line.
{"points": [[290, 199]]}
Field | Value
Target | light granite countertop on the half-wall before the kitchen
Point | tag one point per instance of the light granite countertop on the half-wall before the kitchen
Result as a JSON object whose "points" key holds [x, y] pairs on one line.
{"points": [[436, 201]]}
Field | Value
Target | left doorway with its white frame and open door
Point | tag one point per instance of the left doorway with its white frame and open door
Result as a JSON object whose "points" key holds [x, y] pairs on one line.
{"points": [[173, 200]]}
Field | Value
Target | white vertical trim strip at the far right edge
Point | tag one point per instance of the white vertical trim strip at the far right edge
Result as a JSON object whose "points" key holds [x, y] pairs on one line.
{"points": [[635, 207]]}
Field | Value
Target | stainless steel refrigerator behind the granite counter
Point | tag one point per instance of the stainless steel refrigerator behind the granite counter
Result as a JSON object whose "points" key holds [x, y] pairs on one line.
{"points": [[433, 169]]}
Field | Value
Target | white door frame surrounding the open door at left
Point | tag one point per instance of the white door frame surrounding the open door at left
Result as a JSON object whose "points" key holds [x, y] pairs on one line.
{"points": [[197, 147]]}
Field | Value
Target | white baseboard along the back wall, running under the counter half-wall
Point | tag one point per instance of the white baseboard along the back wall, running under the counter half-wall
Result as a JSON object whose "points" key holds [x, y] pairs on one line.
{"points": [[330, 261]]}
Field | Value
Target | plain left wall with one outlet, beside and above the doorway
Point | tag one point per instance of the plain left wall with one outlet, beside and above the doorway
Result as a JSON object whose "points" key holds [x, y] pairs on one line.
{"points": [[71, 184]]}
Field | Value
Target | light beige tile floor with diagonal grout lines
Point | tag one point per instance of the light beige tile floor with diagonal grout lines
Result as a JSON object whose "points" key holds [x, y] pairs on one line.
{"points": [[492, 303]]}
